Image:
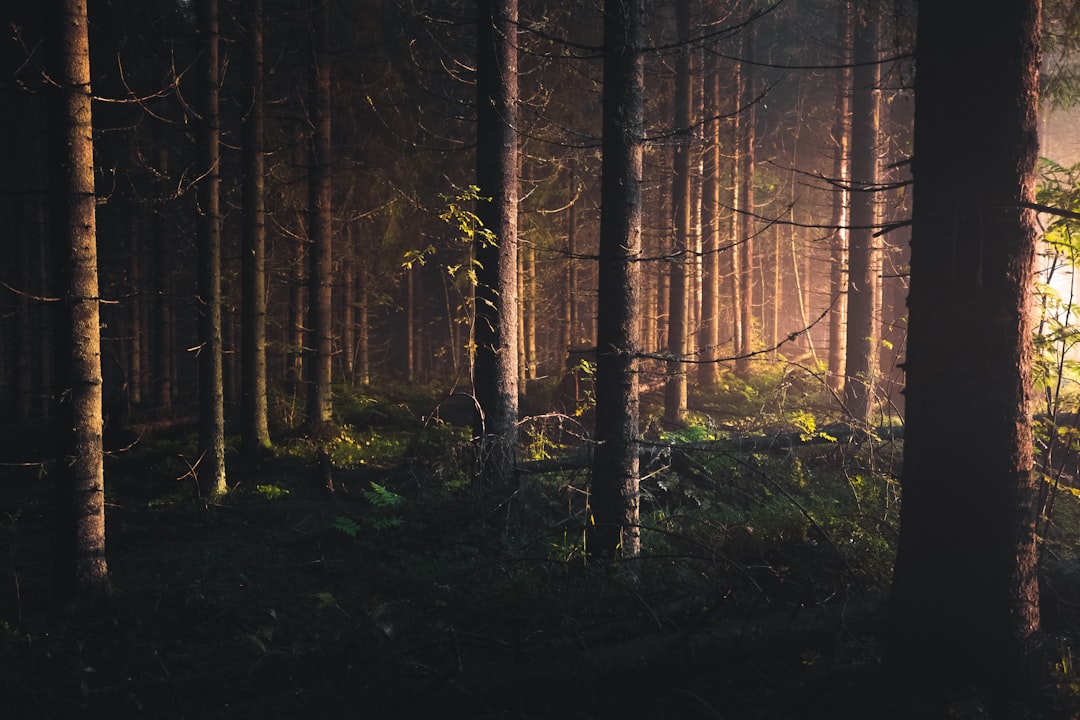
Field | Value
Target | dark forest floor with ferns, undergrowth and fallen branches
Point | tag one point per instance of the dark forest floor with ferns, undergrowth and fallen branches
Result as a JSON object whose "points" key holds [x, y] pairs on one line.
{"points": [[406, 592]]}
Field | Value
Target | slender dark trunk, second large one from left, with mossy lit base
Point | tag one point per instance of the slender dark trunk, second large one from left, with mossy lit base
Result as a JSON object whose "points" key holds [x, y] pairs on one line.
{"points": [[211, 471]]}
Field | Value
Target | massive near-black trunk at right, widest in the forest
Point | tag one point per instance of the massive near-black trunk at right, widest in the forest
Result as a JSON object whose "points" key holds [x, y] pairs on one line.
{"points": [[965, 599]]}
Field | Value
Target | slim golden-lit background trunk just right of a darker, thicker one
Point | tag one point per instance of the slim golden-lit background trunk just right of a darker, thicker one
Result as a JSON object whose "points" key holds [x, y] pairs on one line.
{"points": [[709, 372]]}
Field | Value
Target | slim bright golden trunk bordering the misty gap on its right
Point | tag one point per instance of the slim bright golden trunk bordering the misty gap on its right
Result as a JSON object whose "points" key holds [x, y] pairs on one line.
{"points": [[842, 199]]}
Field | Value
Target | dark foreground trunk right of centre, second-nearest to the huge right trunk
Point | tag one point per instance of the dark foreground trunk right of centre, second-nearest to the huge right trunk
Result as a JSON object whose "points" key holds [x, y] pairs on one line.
{"points": [[615, 473]]}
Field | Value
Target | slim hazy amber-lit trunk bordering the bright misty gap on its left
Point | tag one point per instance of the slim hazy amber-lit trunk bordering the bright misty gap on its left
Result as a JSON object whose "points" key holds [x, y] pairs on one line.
{"points": [[745, 341]]}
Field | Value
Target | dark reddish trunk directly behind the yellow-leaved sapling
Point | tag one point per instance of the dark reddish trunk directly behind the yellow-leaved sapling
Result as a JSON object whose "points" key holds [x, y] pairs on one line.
{"points": [[495, 370]]}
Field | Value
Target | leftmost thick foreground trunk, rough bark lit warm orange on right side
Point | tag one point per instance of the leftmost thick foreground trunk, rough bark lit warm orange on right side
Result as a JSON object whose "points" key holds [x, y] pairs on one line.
{"points": [[80, 570]]}
